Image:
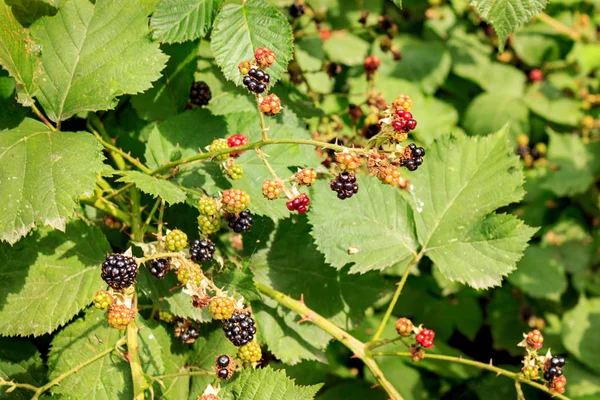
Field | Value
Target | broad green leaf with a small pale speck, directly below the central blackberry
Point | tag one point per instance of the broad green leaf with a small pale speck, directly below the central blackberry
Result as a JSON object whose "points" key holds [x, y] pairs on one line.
{"points": [[378, 221]]}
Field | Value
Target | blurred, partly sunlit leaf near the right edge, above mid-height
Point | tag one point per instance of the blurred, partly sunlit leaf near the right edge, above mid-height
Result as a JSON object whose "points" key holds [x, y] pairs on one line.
{"points": [[573, 160]]}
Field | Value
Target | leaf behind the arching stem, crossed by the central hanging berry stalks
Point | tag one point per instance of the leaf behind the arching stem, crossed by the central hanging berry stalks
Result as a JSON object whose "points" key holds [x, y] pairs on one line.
{"points": [[285, 159]]}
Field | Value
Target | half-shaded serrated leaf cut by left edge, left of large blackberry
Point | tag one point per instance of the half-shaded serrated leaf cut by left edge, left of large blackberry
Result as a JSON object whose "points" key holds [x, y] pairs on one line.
{"points": [[50, 276]]}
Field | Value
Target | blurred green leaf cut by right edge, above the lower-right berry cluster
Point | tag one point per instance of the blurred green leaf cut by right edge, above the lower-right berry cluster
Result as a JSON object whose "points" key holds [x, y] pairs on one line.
{"points": [[579, 333]]}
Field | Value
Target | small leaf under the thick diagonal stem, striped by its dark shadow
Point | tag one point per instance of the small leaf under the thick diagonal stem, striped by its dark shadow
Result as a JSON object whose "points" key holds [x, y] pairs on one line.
{"points": [[290, 341]]}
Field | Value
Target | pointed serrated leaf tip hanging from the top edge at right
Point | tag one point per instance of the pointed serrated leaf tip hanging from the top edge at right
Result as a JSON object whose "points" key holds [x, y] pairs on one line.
{"points": [[507, 15]]}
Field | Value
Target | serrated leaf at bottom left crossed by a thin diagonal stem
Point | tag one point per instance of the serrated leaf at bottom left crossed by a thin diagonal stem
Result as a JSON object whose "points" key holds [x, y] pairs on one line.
{"points": [[107, 378]]}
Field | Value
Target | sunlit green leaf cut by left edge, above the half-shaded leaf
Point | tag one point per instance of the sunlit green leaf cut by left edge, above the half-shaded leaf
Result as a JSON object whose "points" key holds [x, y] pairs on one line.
{"points": [[42, 174]]}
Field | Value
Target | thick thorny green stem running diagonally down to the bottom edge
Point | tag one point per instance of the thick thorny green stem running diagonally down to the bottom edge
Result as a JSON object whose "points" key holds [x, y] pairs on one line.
{"points": [[355, 345]]}
